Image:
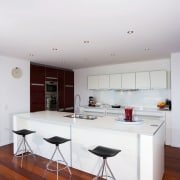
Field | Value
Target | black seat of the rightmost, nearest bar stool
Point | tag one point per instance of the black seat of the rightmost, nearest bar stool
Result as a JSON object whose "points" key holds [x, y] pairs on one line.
{"points": [[104, 151]]}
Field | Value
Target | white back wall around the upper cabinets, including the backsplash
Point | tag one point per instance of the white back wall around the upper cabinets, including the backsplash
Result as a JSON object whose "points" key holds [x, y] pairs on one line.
{"points": [[146, 98]]}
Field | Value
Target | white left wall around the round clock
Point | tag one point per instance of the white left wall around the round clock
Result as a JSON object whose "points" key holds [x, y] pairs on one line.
{"points": [[14, 94]]}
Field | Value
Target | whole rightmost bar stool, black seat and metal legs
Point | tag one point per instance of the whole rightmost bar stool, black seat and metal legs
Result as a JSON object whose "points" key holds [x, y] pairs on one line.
{"points": [[104, 152]]}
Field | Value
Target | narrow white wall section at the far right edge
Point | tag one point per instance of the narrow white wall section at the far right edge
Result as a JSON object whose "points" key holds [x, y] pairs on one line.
{"points": [[175, 84]]}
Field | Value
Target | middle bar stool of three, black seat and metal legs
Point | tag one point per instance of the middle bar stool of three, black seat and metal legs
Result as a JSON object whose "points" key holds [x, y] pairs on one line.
{"points": [[57, 140]]}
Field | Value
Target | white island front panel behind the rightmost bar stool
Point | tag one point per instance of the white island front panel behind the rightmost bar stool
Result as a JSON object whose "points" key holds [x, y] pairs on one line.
{"points": [[124, 165]]}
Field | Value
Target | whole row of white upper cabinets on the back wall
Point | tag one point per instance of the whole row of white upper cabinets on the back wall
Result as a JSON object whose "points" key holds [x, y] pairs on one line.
{"points": [[128, 81]]}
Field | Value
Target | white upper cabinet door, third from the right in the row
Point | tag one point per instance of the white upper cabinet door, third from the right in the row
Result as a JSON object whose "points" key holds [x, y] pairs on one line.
{"points": [[128, 81]]}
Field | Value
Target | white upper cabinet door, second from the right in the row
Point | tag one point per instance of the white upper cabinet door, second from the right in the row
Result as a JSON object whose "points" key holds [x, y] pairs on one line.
{"points": [[142, 80]]}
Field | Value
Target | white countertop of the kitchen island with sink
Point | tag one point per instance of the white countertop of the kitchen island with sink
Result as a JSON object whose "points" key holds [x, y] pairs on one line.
{"points": [[148, 127]]}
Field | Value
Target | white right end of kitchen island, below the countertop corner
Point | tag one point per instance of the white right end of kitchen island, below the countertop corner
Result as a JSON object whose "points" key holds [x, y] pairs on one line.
{"points": [[152, 155]]}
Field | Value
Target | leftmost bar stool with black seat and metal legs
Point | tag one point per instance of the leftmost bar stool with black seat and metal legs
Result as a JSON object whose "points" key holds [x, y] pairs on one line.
{"points": [[24, 148]]}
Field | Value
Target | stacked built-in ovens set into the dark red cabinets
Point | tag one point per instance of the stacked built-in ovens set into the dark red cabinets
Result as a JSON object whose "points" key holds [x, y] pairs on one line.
{"points": [[51, 95]]}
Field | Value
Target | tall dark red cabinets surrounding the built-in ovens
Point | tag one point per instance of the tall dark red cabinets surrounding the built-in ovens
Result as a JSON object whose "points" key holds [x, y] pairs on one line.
{"points": [[65, 78]]}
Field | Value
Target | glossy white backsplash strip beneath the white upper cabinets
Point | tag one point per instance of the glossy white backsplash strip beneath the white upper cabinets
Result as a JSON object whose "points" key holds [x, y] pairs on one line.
{"points": [[139, 98]]}
